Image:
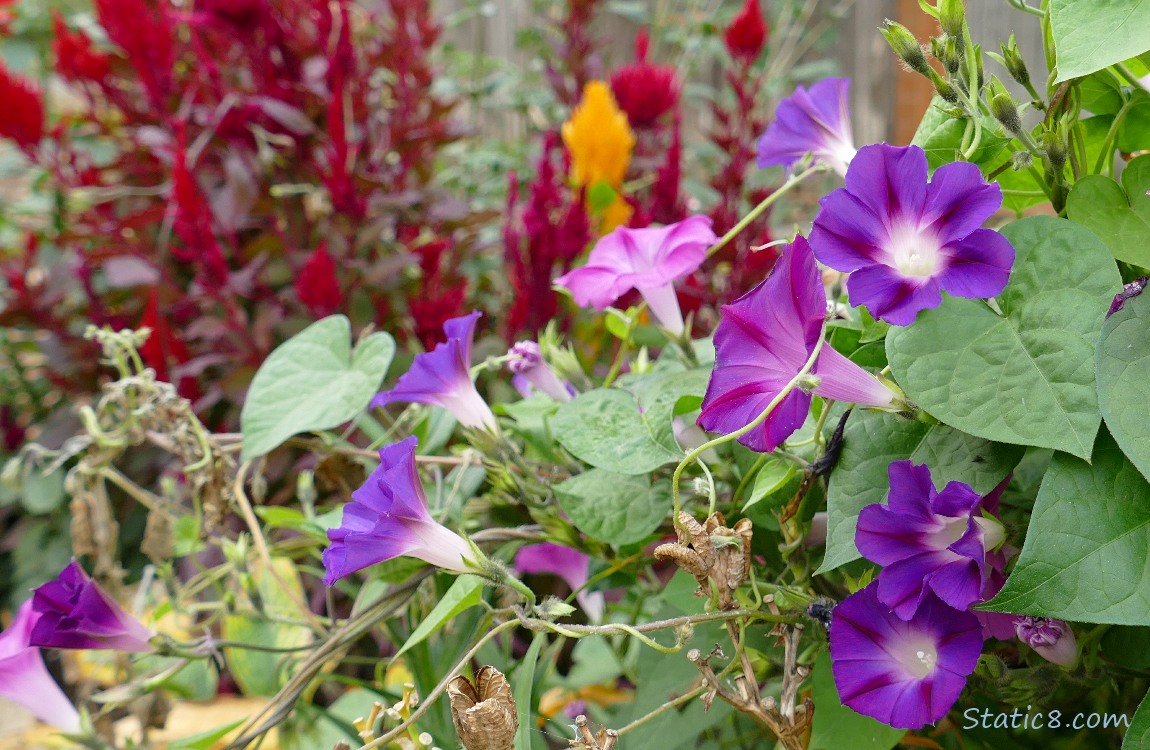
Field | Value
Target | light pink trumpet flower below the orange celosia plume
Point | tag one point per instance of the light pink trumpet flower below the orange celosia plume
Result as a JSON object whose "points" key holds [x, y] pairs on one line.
{"points": [[649, 261]]}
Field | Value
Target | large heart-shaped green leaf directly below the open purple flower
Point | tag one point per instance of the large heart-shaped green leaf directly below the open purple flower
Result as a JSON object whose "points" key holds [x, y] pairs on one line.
{"points": [[1026, 377]]}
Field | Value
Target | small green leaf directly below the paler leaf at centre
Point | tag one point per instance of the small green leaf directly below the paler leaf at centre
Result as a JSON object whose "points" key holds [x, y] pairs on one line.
{"points": [[616, 509]]}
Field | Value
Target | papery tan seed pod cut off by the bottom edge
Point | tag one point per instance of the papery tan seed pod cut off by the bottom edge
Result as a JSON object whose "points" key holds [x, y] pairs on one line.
{"points": [[485, 711]]}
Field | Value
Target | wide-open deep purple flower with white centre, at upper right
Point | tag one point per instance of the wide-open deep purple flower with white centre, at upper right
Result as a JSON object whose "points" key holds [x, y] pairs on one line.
{"points": [[907, 241]]}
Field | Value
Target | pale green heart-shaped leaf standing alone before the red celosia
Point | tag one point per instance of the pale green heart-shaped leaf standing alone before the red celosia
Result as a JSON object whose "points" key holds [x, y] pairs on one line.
{"points": [[313, 381]]}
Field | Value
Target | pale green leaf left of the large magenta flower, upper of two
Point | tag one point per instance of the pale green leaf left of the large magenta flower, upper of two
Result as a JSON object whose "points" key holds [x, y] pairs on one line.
{"points": [[607, 430]]}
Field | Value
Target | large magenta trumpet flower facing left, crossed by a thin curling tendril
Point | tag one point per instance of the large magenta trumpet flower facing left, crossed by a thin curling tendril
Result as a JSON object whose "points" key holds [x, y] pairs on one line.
{"points": [[763, 341]]}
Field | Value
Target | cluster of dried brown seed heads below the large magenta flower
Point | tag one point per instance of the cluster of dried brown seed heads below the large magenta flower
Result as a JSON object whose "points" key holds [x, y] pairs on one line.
{"points": [[712, 553]]}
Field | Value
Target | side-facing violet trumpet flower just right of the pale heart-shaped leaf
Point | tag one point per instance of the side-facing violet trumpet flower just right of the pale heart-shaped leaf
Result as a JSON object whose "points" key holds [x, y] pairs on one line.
{"points": [[443, 378]]}
